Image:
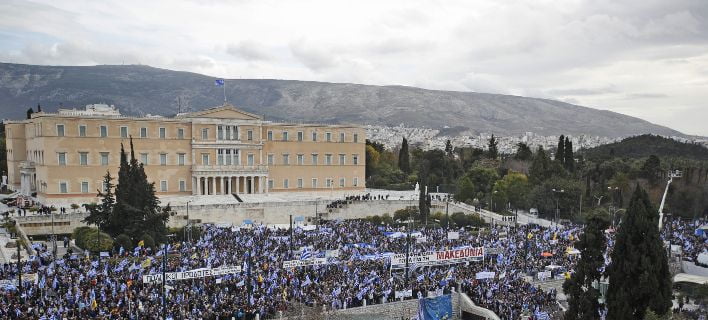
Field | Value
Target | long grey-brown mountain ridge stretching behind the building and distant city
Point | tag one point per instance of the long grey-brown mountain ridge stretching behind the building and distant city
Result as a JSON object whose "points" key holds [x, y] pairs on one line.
{"points": [[139, 89]]}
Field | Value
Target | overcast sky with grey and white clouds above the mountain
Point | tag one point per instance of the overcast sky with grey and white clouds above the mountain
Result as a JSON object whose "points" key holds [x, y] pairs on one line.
{"points": [[645, 58]]}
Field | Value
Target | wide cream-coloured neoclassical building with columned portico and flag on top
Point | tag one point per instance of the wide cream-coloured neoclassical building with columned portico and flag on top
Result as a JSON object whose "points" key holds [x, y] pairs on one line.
{"points": [[63, 156]]}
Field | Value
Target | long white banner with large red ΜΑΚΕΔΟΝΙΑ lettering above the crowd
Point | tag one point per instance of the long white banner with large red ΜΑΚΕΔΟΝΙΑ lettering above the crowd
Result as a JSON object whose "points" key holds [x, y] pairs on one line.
{"points": [[439, 257]]}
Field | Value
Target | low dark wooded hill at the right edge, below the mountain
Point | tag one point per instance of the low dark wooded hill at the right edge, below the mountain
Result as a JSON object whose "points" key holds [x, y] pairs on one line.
{"points": [[646, 145]]}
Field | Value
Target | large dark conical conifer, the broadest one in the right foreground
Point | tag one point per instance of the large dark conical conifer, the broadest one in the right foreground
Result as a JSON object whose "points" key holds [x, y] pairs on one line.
{"points": [[639, 272]]}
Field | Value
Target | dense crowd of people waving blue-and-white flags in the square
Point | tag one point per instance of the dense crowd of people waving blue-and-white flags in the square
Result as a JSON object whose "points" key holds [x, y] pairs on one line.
{"points": [[358, 271]]}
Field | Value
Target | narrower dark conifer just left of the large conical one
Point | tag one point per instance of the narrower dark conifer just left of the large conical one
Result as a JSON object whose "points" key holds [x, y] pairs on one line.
{"points": [[582, 297]]}
